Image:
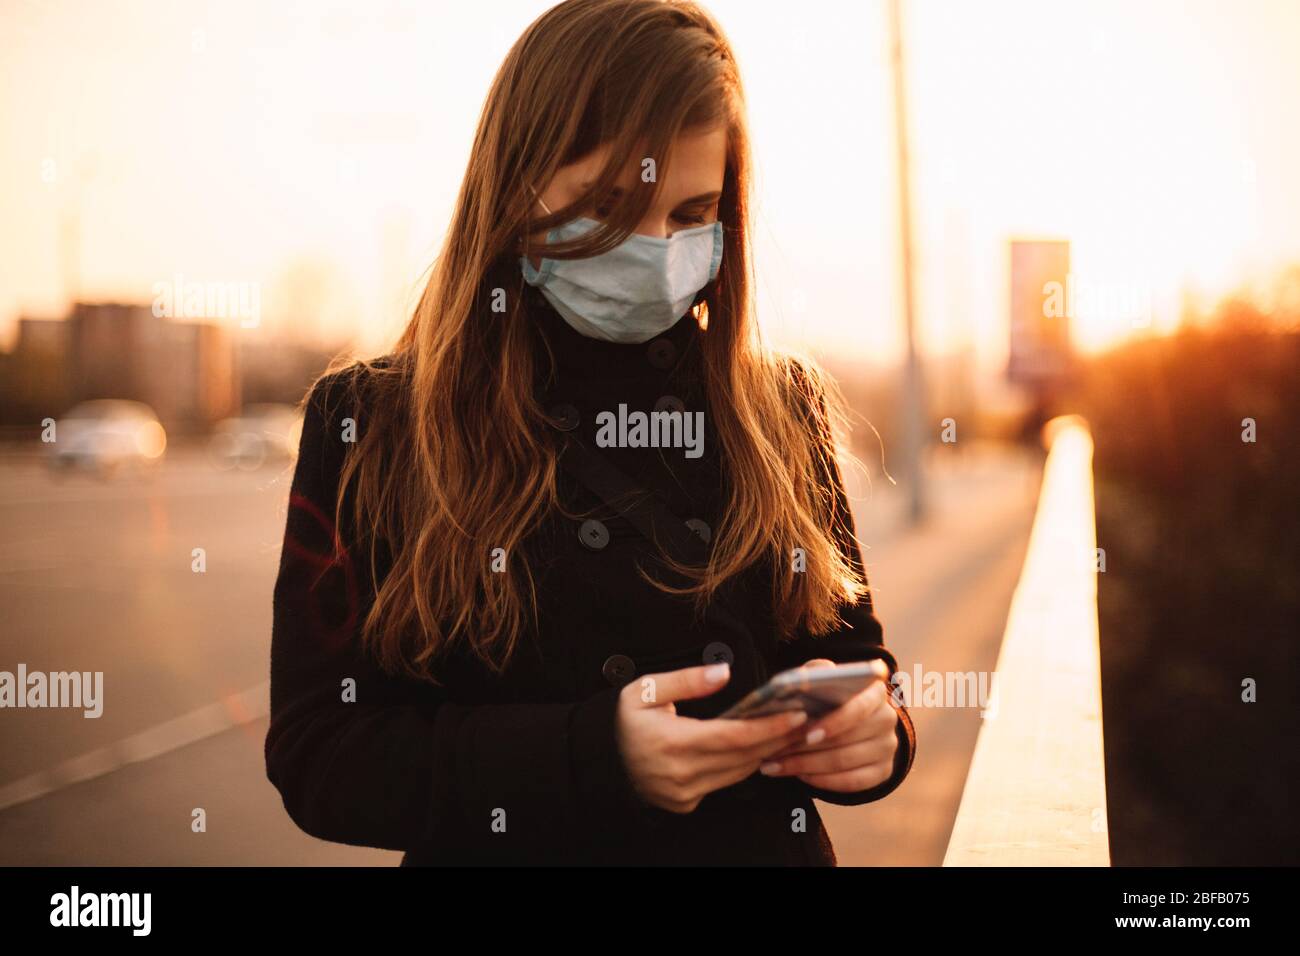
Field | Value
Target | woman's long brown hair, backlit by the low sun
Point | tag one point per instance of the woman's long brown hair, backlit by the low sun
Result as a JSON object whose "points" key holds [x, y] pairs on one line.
{"points": [[456, 458]]}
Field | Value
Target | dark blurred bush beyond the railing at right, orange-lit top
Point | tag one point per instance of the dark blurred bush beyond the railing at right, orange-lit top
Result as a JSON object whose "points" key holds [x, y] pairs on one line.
{"points": [[1202, 590]]}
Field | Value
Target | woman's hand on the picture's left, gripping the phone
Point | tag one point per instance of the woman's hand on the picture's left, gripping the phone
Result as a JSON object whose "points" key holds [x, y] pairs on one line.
{"points": [[677, 762]]}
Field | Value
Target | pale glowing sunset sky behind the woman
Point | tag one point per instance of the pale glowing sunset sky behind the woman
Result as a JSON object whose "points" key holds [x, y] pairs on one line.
{"points": [[317, 148]]}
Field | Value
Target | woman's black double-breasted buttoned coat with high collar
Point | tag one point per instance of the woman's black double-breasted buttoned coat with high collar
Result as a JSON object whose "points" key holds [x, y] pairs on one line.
{"points": [[437, 771]]}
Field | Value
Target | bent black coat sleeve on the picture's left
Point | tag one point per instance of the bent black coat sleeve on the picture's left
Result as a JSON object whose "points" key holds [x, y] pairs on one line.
{"points": [[366, 759]]}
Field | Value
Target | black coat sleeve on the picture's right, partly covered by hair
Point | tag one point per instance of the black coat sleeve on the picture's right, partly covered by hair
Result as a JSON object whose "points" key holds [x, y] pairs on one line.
{"points": [[861, 637]]}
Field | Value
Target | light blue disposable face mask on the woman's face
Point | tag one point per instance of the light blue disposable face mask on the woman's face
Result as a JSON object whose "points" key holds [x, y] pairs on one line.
{"points": [[636, 291]]}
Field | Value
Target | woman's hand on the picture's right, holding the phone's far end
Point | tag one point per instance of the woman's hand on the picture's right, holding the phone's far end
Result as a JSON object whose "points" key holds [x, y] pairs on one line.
{"points": [[850, 750]]}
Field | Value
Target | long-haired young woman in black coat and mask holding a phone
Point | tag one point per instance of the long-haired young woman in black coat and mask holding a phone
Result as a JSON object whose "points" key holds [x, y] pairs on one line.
{"points": [[493, 643]]}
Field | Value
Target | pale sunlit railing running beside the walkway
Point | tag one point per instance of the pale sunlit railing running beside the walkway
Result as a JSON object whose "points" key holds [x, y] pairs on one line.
{"points": [[1037, 789]]}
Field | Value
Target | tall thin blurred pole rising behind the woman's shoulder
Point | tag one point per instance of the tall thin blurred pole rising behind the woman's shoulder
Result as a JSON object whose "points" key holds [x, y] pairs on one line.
{"points": [[913, 391]]}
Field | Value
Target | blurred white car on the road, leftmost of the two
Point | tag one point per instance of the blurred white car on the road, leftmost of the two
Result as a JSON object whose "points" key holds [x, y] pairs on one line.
{"points": [[107, 435]]}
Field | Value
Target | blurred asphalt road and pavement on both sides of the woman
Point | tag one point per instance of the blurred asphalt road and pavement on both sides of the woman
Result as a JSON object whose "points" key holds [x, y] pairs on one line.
{"points": [[98, 577]]}
